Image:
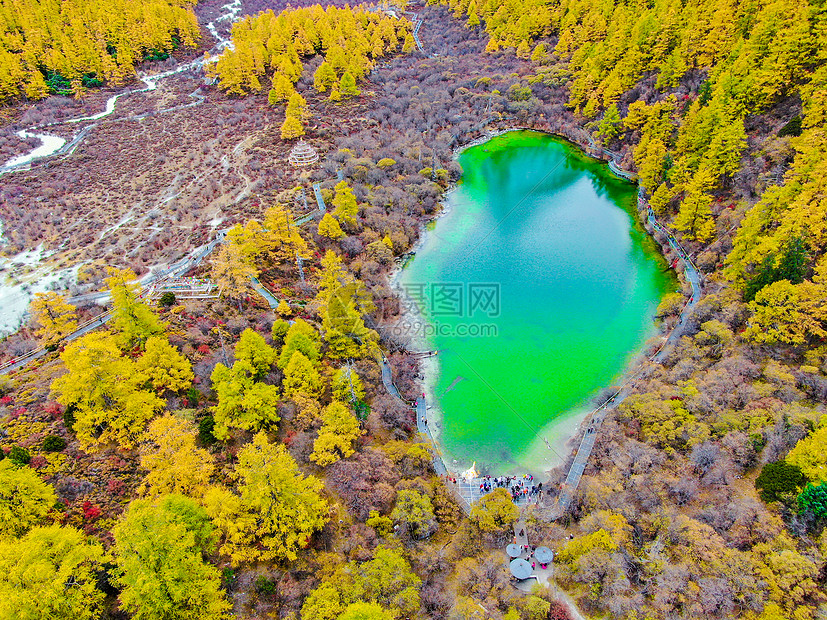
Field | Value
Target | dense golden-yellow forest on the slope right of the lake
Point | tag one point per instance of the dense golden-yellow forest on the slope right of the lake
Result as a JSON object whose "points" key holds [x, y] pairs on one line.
{"points": [[740, 61]]}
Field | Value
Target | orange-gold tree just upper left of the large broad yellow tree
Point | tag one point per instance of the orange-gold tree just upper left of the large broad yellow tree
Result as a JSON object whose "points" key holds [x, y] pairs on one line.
{"points": [[173, 462]]}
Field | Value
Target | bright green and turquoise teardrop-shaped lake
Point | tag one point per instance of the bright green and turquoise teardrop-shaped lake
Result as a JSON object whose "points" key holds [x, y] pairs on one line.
{"points": [[537, 289]]}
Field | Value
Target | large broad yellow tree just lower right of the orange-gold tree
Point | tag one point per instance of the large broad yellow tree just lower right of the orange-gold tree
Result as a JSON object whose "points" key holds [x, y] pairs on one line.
{"points": [[277, 508]]}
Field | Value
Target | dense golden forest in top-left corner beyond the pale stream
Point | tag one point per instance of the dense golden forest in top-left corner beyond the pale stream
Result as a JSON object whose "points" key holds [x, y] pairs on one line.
{"points": [[62, 47]]}
